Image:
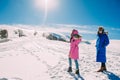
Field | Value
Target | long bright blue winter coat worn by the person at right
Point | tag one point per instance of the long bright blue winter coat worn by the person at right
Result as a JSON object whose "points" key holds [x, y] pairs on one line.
{"points": [[101, 44]]}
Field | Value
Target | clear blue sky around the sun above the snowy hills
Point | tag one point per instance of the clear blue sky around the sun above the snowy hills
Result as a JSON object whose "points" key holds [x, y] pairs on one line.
{"points": [[80, 12]]}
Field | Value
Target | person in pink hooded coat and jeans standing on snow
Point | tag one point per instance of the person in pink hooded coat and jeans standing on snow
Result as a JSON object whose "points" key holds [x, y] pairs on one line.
{"points": [[74, 50]]}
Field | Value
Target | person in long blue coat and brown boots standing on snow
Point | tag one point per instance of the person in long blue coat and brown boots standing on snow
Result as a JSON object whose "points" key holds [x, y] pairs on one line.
{"points": [[101, 44]]}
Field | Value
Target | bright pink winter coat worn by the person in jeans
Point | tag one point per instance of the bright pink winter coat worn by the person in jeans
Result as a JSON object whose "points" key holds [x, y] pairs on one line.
{"points": [[74, 49]]}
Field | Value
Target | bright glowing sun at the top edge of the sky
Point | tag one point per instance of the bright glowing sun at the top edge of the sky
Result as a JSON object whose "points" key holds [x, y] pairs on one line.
{"points": [[46, 4]]}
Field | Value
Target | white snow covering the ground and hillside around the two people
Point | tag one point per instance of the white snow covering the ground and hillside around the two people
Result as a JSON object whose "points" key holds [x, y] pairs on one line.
{"points": [[37, 58]]}
